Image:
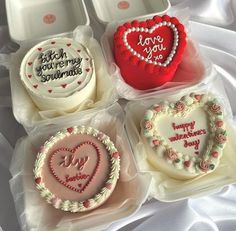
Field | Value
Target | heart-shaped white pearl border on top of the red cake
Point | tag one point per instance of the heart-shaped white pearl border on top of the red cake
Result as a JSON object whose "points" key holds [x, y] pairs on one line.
{"points": [[142, 29]]}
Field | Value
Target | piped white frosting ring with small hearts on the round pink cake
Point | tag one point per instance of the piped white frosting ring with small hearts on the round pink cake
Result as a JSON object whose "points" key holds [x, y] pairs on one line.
{"points": [[99, 198]]}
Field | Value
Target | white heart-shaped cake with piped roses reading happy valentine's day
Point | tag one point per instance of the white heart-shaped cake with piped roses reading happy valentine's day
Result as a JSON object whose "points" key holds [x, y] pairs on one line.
{"points": [[185, 139]]}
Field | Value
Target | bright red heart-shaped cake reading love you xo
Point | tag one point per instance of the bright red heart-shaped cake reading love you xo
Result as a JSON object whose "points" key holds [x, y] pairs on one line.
{"points": [[149, 52]]}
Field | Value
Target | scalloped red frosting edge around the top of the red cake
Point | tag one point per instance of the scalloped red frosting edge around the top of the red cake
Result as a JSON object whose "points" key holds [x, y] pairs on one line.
{"points": [[157, 21]]}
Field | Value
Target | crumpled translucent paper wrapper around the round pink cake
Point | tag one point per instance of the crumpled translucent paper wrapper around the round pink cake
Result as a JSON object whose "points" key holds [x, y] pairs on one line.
{"points": [[130, 192]]}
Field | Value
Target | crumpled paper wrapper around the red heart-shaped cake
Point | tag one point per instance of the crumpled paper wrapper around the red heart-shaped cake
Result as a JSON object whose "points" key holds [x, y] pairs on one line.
{"points": [[193, 69]]}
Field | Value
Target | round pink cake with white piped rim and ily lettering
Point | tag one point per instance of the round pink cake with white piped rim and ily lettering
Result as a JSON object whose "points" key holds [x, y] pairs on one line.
{"points": [[77, 169]]}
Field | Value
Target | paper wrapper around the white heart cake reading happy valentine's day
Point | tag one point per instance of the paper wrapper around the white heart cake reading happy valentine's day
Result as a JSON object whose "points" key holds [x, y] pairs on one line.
{"points": [[165, 188]]}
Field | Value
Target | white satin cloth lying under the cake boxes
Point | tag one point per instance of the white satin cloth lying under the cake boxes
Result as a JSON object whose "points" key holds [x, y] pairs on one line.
{"points": [[213, 212]]}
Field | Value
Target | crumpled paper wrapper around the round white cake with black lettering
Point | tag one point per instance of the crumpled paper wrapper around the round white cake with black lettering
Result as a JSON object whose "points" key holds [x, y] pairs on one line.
{"points": [[25, 110]]}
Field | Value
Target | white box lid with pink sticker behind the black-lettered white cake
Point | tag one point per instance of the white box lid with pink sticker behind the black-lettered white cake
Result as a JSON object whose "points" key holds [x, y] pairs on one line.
{"points": [[29, 19]]}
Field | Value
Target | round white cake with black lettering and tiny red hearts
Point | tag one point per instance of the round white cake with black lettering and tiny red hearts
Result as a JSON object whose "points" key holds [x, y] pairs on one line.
{"points": [[58, 74]]}
